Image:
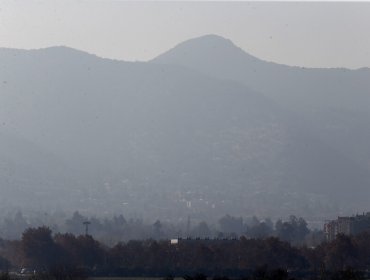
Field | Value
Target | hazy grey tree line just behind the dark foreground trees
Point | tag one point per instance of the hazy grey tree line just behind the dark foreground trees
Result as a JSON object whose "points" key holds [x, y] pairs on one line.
{"points": [[116, 229]]}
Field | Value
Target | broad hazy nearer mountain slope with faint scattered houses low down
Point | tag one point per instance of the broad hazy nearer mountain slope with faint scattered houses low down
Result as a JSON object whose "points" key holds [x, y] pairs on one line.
{"points": [[165, 140]]}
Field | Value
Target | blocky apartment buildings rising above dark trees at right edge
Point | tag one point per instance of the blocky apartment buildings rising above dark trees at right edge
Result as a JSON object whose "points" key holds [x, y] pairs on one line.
{"points": [[347, 225]]}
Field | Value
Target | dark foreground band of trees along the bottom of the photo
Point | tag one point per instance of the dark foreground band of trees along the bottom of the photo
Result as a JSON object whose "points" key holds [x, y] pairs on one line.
{"points": [[40, 250]]}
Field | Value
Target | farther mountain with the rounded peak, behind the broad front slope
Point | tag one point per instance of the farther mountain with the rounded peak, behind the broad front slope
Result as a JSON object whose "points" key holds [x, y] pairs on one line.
{"points": [[334, 103]]}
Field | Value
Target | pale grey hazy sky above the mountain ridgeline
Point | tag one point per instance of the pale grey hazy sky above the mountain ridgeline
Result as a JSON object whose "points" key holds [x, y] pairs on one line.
{"points": [[306, 34]]}
